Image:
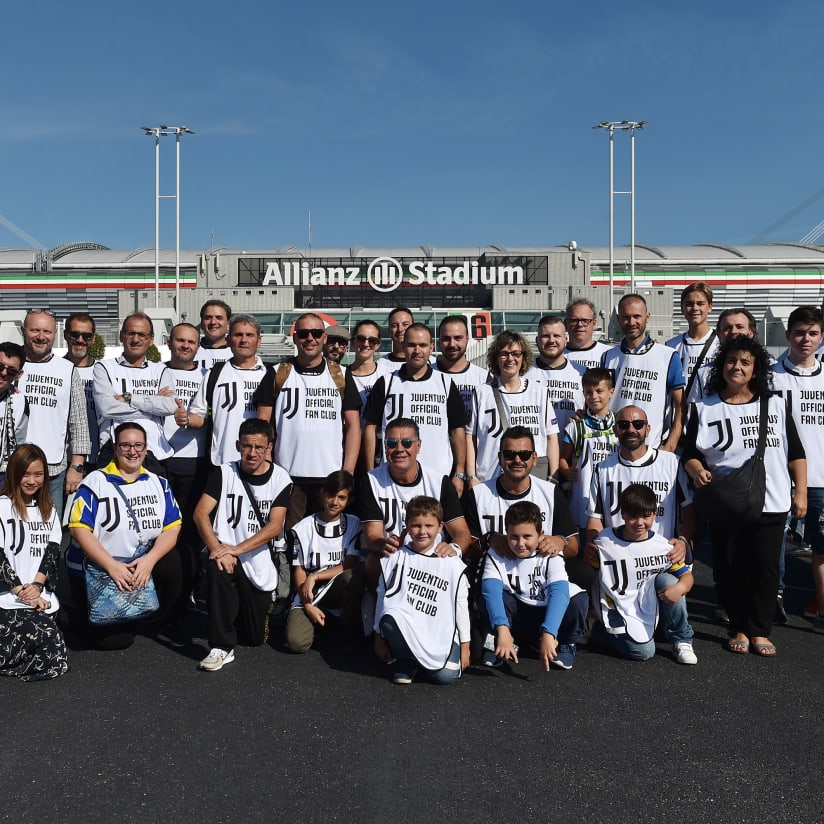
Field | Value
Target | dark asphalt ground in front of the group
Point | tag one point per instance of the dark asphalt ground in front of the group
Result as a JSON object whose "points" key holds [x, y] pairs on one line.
{"points": [[142, 736]]}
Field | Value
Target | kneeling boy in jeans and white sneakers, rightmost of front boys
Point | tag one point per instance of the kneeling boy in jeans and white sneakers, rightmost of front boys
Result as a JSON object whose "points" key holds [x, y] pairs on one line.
{"points": [[636, 580]]}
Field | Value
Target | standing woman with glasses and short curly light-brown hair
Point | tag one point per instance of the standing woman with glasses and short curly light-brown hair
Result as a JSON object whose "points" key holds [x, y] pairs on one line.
{"points": [[510, 399]]}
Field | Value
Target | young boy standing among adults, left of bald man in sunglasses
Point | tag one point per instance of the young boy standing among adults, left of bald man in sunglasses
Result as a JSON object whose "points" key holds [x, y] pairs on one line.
{"points": [[587, 441]]}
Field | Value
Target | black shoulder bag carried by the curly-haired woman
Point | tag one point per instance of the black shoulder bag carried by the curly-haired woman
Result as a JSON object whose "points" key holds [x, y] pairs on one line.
{"points": [[737, 498]]}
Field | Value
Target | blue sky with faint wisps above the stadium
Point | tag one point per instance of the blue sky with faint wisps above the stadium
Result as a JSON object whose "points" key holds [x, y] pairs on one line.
{"points": [[446, 123]]}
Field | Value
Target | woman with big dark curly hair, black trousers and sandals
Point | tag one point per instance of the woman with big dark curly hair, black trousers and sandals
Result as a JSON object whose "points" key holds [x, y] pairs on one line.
{"points": [[722, 435]]}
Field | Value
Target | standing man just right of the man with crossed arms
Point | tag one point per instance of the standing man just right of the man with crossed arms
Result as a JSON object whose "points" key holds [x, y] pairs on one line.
{"points": [[188, 468]]}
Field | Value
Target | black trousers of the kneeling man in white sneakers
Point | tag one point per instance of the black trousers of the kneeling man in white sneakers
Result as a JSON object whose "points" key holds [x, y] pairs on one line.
{"points": [[238, 611]]}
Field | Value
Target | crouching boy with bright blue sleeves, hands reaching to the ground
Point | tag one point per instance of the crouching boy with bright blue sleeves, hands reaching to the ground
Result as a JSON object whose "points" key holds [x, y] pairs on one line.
{"points": [[529, 595]]}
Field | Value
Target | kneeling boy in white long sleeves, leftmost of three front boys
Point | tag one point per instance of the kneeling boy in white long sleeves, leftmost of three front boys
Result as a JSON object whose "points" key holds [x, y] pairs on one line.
{"points": [[422, 615]]}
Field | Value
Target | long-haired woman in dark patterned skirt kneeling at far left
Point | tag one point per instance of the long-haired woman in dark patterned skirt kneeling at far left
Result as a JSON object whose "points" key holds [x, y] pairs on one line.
{"points": [[31, 645]]}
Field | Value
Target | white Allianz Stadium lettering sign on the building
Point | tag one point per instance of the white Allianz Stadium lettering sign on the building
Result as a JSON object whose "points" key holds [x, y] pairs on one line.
{"points": [[385, 274]]}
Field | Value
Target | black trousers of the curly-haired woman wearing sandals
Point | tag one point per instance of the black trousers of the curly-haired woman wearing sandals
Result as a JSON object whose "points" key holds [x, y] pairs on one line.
{"points": [[745, 561]]}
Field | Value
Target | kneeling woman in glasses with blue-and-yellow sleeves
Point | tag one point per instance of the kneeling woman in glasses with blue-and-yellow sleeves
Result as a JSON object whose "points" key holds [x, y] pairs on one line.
{"points": [[119, 510]]}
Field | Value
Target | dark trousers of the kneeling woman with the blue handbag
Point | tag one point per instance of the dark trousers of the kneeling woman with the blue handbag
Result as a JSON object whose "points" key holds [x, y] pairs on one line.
{"points": [[168, 582]]}
